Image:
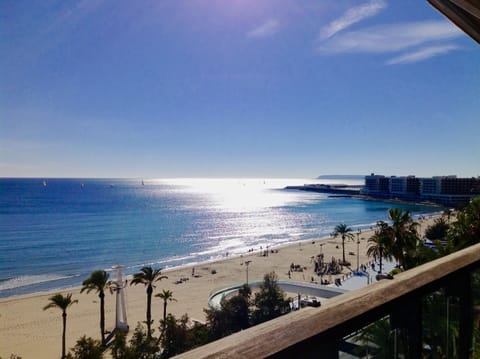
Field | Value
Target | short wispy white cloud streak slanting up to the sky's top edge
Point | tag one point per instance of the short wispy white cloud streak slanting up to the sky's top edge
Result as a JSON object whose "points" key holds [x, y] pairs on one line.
{"points": [[352, 16]]}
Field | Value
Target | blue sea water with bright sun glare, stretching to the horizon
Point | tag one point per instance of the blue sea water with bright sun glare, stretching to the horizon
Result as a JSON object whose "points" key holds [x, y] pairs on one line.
{"points": [[55, 232]]}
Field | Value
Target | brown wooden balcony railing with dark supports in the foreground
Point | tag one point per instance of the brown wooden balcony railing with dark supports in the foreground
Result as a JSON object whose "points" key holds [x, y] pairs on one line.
{"points": [[322, 332]]}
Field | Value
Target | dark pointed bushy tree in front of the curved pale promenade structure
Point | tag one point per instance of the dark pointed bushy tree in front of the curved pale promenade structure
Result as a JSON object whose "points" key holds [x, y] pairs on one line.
{"points": [[270, 301]]}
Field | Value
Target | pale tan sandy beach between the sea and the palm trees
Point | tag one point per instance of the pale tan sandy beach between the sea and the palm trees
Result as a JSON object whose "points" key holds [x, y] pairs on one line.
{"points": [[29, 331]]}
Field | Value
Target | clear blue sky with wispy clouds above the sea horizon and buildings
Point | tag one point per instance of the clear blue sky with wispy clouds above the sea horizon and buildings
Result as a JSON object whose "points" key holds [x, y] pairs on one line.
{"points": [[235, 88]]}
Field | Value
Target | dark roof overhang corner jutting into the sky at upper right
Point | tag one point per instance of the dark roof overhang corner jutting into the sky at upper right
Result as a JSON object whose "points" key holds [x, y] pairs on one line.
{"points": [[463, 13]]}
